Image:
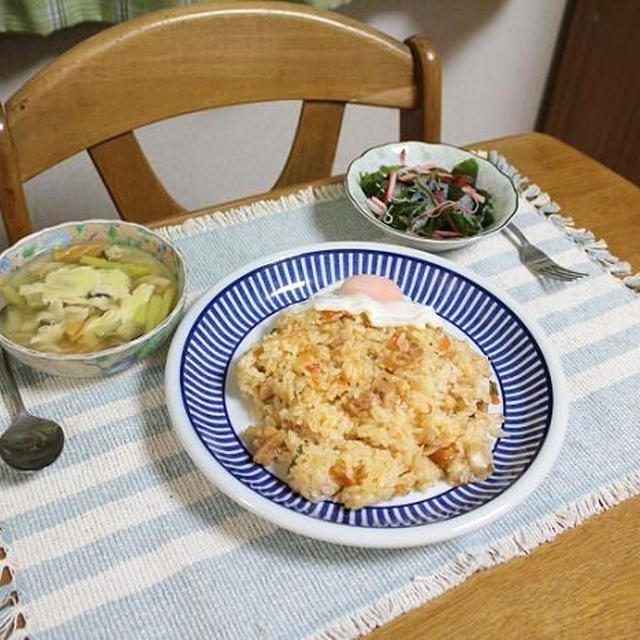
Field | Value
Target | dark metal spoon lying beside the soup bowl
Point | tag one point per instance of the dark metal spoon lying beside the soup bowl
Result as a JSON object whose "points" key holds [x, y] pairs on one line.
{"points": [[30, 443]]}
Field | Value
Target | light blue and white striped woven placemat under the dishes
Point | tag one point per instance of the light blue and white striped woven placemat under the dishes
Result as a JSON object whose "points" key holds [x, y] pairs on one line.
{"points": [[124, 538]]}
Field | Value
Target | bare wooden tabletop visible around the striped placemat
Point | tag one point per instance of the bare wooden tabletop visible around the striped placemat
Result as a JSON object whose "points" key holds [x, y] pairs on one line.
{"points": [[586, 583]]}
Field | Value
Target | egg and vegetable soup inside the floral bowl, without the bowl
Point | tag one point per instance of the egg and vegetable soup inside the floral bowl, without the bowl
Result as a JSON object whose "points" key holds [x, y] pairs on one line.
{"points": [[85, 298]]}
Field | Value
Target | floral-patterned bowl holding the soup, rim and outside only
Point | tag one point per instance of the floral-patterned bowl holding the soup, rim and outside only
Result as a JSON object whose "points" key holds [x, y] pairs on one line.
{"points": [[117, 358]]}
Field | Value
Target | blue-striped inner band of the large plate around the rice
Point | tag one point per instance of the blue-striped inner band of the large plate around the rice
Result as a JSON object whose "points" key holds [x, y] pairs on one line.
{"points": [[517, 360]]}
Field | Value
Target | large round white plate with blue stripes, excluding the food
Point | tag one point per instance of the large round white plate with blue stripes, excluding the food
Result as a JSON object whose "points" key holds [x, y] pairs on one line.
{"points": [[209, 417]]}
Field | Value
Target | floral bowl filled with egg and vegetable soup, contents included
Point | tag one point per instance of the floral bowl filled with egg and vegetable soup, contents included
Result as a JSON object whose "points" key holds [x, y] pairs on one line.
{"points": [[89, 298]]}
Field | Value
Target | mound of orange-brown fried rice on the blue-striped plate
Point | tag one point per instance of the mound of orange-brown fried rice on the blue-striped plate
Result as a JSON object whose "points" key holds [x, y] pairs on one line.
{"points": [[361, 414]]}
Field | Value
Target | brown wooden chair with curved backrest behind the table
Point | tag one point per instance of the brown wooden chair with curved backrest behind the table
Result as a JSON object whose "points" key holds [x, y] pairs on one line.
{"points": [[200, 57]]}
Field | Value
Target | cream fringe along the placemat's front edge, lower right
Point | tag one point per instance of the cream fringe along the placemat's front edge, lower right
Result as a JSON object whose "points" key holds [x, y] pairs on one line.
{"points": [[463, 566]]}
